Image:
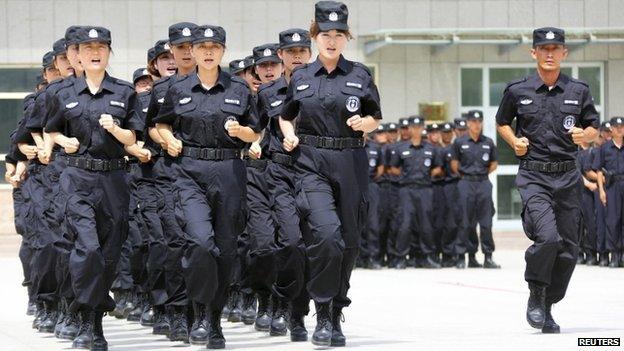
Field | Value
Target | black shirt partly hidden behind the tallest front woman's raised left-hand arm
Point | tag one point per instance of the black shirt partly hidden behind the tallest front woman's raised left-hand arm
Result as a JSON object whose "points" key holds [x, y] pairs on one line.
{"points": [[270, 100]]}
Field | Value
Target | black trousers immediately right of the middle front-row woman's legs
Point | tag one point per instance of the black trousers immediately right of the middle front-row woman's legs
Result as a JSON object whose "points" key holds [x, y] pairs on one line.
{"points": [[260, 262]]}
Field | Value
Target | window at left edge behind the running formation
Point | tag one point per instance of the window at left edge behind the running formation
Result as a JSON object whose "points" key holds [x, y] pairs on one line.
{"points": [[15, 83]]}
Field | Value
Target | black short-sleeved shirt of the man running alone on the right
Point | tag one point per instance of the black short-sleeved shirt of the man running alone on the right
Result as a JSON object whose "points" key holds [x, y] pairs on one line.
{"points": [[546, 116]]}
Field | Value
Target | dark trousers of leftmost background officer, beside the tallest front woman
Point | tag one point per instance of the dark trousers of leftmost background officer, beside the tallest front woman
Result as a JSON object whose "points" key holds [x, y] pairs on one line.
{"points": [[369, 247]]}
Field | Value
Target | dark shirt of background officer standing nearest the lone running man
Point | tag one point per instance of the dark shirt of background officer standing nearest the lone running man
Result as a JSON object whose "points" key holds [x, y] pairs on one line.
{"points": [[474, 157]]}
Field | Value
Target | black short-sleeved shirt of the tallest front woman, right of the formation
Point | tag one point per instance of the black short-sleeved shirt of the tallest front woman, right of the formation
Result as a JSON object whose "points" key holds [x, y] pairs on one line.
{"points": [[323, 102]]}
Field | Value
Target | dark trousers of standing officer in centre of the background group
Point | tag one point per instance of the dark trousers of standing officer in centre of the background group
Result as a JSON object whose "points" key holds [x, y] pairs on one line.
{"points": [[415, 221]]}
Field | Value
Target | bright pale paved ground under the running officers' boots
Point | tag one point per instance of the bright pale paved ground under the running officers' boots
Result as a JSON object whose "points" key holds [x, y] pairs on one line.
{"points": [[392, 310]]}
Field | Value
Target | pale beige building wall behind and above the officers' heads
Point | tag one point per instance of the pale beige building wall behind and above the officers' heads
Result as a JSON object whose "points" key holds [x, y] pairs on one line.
{"points": [[407, 74]]}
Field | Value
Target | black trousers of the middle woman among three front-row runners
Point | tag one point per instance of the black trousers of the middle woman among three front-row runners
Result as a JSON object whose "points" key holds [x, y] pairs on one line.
{"points": [[211, 210]]}
